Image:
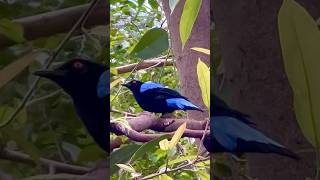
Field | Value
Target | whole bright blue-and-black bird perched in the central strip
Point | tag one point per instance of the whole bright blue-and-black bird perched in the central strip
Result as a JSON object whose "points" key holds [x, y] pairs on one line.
{"points": [[154, 97]]}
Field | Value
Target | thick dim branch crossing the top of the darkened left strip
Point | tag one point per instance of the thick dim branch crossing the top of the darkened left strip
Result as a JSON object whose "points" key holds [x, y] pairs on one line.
{"points": [[59, 21]]}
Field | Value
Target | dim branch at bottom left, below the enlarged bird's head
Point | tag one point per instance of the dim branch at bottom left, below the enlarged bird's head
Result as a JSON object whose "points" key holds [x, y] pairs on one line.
{"points": [[6, 154]]}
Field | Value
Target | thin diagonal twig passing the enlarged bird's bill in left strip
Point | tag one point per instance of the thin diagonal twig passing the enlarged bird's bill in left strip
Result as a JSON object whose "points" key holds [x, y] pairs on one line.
{"points": [[50, 61]]}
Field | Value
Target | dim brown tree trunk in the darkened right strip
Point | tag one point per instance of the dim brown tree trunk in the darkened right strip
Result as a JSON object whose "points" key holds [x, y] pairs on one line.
{"points": [[255, 81]]}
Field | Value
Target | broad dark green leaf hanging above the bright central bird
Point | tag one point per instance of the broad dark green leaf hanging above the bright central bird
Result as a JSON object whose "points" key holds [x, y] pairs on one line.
{"points": [[153, 43]]}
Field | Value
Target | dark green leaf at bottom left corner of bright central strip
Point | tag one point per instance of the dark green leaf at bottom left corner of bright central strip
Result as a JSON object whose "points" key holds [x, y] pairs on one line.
{"points": [[121, 156]]}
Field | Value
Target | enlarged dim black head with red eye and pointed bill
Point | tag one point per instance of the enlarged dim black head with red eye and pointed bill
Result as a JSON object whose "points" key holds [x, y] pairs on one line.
{"points": [[75, 76]]}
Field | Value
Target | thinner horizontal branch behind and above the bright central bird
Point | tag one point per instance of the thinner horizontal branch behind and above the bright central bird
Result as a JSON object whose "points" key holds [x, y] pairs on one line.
{"points": [[144, 65]]}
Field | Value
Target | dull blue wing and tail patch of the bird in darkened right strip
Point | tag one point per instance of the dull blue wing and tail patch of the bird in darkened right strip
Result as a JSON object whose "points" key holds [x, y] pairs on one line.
{"points": [[228, 130]]}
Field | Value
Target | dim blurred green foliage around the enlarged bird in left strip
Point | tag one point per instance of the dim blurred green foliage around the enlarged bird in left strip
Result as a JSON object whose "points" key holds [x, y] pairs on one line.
{"points": [[48, 126]]}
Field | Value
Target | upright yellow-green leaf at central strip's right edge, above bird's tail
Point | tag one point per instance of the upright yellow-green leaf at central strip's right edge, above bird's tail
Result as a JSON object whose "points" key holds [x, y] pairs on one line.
{"points": [[204, 81]]}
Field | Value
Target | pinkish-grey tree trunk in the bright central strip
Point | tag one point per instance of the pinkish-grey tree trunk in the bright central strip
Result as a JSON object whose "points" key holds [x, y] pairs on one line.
{"points": [[186, 59]]}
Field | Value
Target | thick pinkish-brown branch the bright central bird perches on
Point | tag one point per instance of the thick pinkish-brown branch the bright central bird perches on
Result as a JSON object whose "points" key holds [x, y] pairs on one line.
{"points": [[145, 121]]}
